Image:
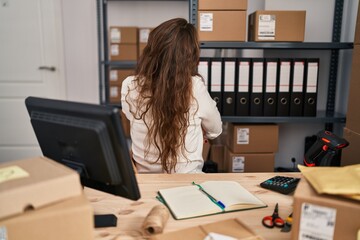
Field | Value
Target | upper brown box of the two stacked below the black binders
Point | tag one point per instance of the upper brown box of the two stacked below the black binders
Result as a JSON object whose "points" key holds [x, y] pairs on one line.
{"points": [[253, 138]]}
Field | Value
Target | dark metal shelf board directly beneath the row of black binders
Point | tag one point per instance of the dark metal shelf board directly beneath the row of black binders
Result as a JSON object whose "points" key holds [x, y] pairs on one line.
{"points": [[320, 118]]}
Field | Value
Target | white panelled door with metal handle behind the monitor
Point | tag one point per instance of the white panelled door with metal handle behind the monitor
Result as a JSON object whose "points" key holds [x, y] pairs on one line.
{"points": [[31, 64]]}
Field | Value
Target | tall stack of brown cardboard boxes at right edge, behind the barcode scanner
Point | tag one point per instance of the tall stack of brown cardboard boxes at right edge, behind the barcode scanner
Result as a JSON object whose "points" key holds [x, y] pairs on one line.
{"points": [[350, 154]]}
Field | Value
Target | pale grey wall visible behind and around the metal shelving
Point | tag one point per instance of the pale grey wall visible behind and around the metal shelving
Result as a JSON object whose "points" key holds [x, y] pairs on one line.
{"points": [[81, 50]]}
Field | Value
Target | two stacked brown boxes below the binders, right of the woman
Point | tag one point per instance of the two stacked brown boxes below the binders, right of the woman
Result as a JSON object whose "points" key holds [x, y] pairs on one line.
{"points": [[251, 148]]}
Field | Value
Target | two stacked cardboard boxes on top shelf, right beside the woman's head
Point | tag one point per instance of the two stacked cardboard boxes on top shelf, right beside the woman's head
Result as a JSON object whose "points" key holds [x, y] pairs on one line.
{"points": [[223, 20]]}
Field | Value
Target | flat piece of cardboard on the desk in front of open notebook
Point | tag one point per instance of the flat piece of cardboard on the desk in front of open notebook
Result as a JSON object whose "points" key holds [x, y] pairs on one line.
{"points": [[231, 227]]}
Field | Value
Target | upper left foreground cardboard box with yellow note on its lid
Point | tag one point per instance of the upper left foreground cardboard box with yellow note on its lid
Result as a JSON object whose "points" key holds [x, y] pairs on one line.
{"points": [[34, 183]]}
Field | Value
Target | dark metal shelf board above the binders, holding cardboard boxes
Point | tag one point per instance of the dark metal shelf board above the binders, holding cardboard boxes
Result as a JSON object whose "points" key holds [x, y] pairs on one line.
{"points": [[277, 45]]}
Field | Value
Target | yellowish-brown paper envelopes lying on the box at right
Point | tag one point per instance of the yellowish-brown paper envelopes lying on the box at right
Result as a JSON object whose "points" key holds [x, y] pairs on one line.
{"points": [[343, 181]]}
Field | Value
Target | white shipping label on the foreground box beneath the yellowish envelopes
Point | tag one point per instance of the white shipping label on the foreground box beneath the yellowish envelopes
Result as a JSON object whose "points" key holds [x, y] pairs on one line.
{"points": [[317, 222]]}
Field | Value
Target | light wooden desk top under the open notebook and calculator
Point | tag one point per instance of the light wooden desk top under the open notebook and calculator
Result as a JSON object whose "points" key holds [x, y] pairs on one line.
{"points": [[131, 214]]}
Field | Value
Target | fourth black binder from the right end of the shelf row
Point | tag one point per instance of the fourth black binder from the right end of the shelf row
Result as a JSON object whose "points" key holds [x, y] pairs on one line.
{"points": [[270, 82]]}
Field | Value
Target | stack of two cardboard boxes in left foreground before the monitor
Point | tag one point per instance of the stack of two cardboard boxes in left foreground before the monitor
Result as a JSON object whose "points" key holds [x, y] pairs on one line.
{"points": [[42, 199]]}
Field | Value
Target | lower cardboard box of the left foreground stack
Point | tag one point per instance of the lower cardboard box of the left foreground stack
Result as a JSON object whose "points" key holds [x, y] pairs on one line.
{"points": [[69, 219]]}
